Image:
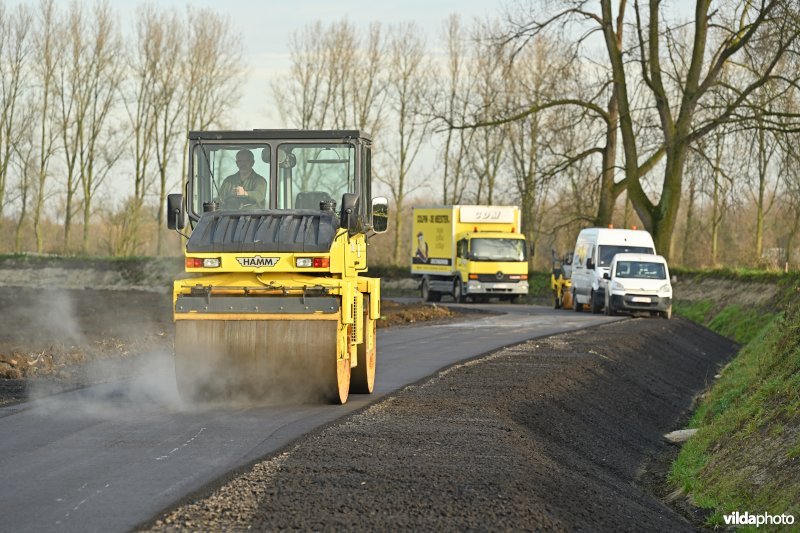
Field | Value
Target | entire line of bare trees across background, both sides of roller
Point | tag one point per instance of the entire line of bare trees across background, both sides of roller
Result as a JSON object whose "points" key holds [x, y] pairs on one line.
{"points": [[581, 112]]}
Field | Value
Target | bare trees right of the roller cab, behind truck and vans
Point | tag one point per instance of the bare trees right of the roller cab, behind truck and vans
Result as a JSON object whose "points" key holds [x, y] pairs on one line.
{"points": [[582, 113]]}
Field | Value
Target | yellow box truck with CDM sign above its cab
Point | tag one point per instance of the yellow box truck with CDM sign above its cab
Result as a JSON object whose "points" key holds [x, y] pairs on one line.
{"points": [[472, 252]]}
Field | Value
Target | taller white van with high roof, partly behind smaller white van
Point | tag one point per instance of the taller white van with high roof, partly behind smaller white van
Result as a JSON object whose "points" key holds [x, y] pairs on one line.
{"points": [[594, 251]]}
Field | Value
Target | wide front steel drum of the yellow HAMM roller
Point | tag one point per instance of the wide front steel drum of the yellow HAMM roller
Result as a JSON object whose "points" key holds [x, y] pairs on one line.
{"points": [[274, 360]]}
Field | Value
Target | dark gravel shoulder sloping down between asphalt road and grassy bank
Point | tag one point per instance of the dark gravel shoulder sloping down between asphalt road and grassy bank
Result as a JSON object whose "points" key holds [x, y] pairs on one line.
{"points": [[559, 433]]}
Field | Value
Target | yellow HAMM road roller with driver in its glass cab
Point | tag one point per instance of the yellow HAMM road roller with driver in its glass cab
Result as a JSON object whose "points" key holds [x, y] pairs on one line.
{"points": [[274, 302]]}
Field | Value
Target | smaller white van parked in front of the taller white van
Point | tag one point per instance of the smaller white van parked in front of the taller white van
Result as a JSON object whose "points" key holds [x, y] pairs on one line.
{"points": [[639, 282]]}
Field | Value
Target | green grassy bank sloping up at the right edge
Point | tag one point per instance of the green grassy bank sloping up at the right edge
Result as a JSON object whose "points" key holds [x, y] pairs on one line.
{"points": [[745, 456]]}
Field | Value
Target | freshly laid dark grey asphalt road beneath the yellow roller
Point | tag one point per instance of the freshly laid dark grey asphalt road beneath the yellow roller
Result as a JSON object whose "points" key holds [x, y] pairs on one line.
{"points": [[111, 456]]}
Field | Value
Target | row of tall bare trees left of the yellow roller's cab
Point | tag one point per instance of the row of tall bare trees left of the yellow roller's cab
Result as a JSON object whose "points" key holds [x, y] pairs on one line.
{"points": [[83, 103]]}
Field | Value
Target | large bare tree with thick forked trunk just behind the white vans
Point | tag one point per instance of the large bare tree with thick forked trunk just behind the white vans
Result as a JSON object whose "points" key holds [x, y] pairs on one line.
{"points": [[769, 26]]}
